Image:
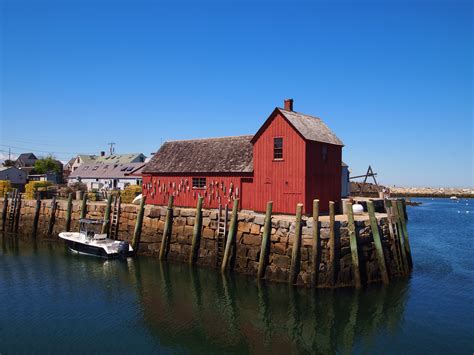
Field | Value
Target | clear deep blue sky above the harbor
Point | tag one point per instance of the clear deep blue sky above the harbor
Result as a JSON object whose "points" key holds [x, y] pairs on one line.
{"points": [[393, 79]]}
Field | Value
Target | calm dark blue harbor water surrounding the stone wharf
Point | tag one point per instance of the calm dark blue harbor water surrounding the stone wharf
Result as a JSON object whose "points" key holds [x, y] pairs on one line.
{"points": [[55, 302]]}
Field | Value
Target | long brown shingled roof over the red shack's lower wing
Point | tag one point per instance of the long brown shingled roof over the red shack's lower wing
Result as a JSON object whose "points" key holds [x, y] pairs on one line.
{"points": [[211, 155]]}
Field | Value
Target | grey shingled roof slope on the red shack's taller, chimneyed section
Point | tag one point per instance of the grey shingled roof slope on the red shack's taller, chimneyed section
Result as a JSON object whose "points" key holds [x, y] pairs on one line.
{"points": [[311, 128]]}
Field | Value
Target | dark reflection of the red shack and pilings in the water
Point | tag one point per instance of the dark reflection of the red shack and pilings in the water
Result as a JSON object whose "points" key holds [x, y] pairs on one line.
{"points": [[239, 314]]}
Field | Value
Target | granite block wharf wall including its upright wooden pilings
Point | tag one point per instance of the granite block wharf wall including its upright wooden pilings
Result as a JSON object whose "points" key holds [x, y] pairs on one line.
{"points": [[317, 251]]}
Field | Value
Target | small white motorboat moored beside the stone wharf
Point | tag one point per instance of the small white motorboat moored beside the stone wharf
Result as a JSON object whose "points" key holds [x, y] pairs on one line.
{"points": [[88, 242]]}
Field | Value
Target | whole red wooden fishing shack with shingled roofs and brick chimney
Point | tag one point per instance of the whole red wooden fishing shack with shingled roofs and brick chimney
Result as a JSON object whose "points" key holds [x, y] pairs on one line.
{"points": [[293, 158]]}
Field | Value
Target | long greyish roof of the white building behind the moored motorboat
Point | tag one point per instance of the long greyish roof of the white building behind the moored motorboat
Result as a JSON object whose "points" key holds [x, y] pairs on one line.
{"points": [[105, 171]]}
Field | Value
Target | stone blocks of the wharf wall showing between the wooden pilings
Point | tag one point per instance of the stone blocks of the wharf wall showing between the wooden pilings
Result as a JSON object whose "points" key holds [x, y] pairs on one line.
{"points": [[246, 251]]}
